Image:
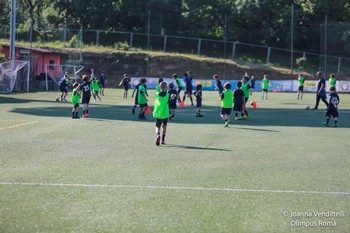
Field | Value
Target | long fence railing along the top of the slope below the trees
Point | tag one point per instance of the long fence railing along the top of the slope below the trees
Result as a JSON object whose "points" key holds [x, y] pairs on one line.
{"points": [[234, 50]]}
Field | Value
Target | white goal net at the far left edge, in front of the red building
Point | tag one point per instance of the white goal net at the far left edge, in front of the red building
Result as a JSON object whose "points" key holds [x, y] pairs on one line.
{"points": [[14, 76]]}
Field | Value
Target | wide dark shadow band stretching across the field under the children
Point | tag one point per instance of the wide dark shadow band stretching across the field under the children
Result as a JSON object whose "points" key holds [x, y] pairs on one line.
{"points": [[261, 117]]}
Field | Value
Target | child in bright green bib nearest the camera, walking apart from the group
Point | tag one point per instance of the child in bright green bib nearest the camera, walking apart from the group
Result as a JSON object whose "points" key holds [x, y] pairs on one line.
{"points": [[161, 112]]}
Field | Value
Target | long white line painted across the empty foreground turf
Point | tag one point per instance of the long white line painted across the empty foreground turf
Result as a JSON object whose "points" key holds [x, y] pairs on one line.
{"points": [[173, 188]]}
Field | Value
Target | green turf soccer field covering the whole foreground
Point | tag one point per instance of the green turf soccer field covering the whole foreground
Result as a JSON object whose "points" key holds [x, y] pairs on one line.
{"points": [[279, 171]]}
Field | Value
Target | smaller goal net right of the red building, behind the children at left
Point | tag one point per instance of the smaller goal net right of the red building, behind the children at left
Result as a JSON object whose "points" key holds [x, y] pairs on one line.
{"points": [[54, 72]]}
